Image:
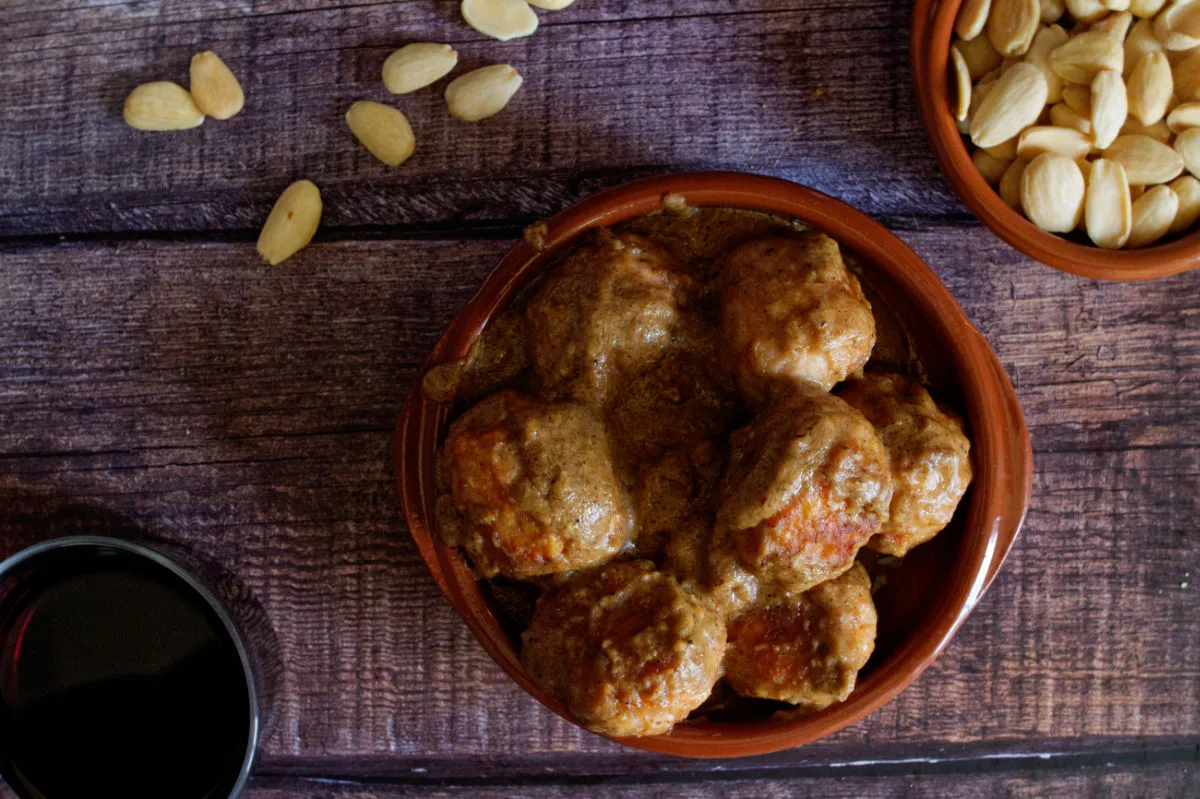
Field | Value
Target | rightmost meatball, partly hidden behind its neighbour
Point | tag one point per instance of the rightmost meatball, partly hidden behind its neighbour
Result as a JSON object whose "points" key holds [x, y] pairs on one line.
{"points": [[929, 452]]}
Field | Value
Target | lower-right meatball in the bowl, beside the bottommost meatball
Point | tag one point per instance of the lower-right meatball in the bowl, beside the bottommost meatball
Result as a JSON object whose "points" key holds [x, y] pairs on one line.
{"points": [[805, 648]]}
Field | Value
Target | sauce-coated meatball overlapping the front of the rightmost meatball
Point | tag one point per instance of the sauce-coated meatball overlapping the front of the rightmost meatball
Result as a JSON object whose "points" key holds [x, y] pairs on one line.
{"points": [[808, 485]]}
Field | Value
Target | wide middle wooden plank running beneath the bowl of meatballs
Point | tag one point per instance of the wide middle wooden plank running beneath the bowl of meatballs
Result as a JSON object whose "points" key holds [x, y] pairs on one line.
{"points": [[248, 412]]}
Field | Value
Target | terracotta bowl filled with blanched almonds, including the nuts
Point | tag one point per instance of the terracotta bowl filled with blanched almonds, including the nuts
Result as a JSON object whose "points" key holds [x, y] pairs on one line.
{"points": [[1070, 128]]}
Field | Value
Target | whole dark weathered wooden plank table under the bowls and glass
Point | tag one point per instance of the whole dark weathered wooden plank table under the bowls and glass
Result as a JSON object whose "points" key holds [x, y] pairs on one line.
{"points": [[157, 377]]}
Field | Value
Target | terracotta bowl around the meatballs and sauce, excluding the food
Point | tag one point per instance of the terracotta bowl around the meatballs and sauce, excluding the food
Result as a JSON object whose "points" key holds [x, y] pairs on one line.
{"points": [[923, 603]]}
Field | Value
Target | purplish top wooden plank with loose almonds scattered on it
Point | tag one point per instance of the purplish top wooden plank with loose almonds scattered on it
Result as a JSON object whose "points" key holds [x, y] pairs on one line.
{"points": [[814, 92]]}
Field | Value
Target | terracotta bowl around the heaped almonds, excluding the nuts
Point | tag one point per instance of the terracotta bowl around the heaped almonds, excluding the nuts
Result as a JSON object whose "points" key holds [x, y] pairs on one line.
{"points": [[933, 31]]}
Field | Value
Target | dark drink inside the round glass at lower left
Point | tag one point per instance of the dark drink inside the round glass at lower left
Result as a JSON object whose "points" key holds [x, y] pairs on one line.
{"points": [[117, 680]]}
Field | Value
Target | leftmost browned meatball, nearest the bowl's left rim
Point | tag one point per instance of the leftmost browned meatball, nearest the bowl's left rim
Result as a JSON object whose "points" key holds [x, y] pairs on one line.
{"points": [[529, 489]]}
